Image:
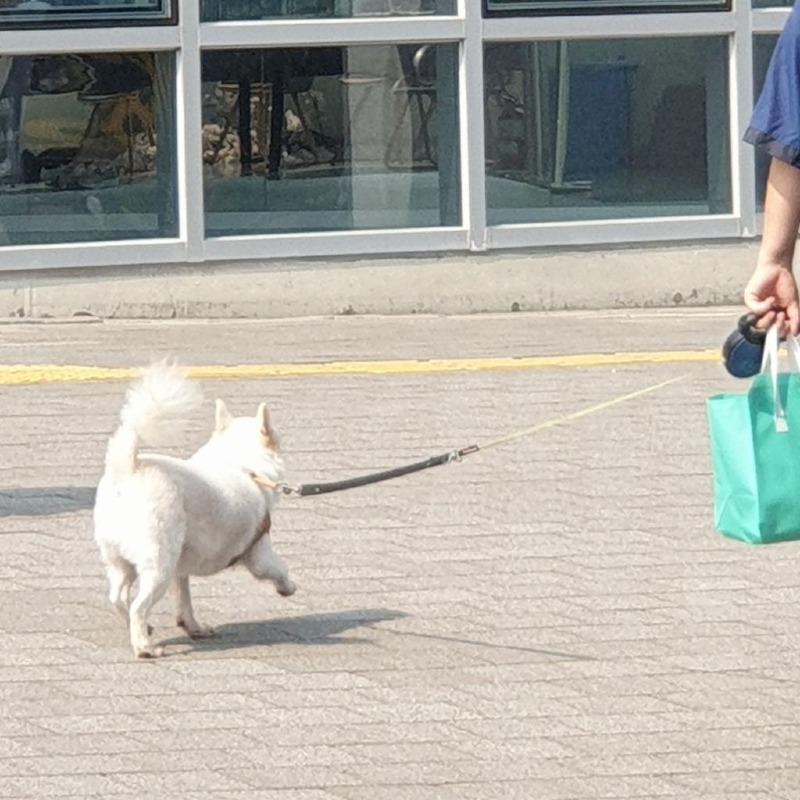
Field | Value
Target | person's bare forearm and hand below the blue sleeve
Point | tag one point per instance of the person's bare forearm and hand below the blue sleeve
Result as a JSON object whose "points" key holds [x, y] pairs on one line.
{"points": [[771, 292]]}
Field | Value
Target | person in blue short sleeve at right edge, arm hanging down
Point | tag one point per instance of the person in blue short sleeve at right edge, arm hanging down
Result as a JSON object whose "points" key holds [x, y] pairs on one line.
{"points": [[774, 128]]}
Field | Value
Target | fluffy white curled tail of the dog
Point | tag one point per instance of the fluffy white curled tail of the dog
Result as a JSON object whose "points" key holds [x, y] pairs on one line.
{"points": [[156, 408]]}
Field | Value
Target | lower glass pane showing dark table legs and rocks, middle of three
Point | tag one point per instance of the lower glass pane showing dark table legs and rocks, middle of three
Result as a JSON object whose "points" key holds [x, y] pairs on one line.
{"points": [[330, 138]]}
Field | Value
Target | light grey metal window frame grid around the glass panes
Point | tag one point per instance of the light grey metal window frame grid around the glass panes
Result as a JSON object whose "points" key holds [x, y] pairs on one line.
{"points": [[471, 31]]}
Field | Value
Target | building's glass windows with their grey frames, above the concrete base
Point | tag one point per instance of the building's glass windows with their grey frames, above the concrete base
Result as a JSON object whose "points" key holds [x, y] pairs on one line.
{"points": [[143, 132]]}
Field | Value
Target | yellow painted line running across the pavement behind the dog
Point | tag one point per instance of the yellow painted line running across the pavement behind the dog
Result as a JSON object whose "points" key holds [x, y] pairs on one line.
{"points": [[28, 374]]}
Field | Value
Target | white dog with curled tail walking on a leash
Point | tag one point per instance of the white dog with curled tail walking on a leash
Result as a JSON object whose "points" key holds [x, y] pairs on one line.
{"points": [[159, 519]]}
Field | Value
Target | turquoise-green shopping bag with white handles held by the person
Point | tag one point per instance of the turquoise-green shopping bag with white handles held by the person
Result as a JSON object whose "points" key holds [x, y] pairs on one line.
{"points": [[755, 448]]}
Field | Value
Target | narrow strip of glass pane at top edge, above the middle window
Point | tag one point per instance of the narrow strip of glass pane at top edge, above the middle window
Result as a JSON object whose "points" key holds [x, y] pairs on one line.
{"points": [[222, 10]]}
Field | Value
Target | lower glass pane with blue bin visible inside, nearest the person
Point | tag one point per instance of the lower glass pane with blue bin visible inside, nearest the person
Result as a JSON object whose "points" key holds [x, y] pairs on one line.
{"points": [[607, 129]]}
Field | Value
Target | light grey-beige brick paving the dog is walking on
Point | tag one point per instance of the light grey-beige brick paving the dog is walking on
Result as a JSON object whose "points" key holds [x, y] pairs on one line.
{"points": [[551, 620]]}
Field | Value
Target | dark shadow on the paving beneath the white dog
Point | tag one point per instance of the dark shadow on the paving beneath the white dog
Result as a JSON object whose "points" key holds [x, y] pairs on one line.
{"points": [[309, 629]]}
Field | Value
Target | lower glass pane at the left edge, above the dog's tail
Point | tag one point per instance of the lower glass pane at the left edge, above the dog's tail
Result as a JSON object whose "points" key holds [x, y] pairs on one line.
{"points": [[86, 148]]}
